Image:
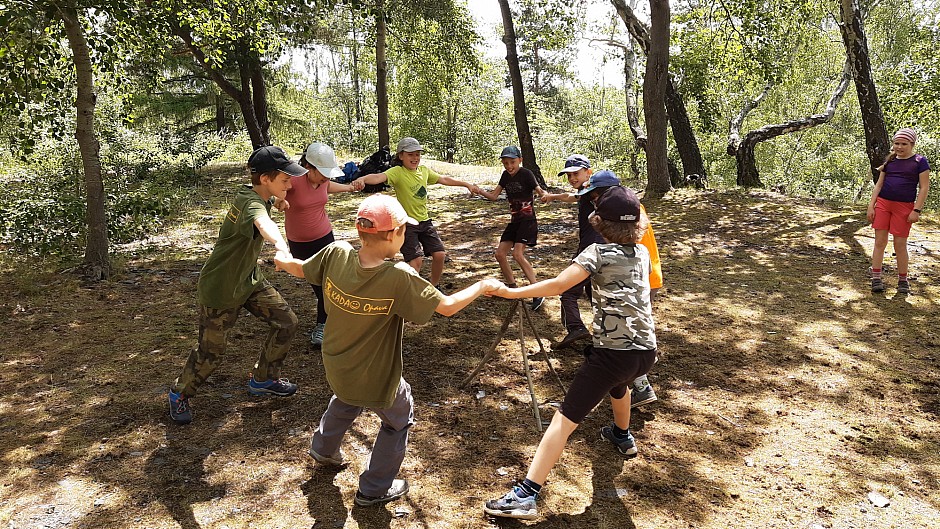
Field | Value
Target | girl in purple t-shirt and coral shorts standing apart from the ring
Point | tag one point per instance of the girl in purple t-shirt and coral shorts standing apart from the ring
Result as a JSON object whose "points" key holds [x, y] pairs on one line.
{"points": [[895, 205]]}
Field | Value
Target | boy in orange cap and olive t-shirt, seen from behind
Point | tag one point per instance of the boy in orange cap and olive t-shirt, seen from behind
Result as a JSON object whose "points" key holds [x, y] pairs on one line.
{"points": [[368, 300]]}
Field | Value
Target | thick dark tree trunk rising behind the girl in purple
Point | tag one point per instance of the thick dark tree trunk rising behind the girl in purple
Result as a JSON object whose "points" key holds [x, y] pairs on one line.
{"points": [[877, 142]]}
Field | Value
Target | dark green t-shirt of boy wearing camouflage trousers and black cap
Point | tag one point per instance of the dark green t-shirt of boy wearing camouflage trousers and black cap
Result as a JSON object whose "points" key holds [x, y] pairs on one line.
{"points": [[232, 273]]}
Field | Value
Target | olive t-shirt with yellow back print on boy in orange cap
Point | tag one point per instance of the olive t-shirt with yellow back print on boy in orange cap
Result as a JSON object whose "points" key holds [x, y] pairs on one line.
{"points": [[367, 309]]}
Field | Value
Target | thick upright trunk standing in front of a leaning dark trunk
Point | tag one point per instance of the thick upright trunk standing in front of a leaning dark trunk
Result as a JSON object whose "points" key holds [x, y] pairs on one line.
{"points": [[654, 87]]}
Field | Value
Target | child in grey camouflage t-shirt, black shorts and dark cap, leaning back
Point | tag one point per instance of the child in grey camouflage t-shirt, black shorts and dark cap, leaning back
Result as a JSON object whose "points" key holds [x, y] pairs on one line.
{"points": [[624, 344]]}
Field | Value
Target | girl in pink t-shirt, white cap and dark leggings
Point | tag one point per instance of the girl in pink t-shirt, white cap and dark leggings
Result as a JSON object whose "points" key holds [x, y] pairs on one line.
{"points": [[305, 220]]}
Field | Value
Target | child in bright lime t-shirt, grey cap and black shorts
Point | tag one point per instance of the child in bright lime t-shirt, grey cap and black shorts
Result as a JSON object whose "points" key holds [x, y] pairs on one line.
{"points": [[410, 180]]}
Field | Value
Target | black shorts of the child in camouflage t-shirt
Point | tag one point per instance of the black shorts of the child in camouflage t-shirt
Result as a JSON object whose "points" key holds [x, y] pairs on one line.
{"points": [[604, 372]]}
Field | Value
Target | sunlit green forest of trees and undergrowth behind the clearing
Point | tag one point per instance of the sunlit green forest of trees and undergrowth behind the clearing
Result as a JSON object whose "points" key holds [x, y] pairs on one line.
{"points": [[173, 86]]}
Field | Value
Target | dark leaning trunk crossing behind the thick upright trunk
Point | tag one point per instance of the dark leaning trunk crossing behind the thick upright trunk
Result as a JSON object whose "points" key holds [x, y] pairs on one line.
{"points": [[682, 130]]}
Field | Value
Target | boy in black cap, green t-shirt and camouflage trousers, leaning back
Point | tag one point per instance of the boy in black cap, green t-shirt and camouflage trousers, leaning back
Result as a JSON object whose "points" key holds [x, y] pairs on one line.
{"points": [[231, 279]]}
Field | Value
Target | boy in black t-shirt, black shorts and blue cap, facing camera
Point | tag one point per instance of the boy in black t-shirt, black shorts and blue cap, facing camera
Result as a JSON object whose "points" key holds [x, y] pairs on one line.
{"points": [[522, 230]]}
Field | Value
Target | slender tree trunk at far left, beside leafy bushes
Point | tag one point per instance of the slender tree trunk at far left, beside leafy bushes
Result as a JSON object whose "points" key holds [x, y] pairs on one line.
{"points": [[97, 264]]}
